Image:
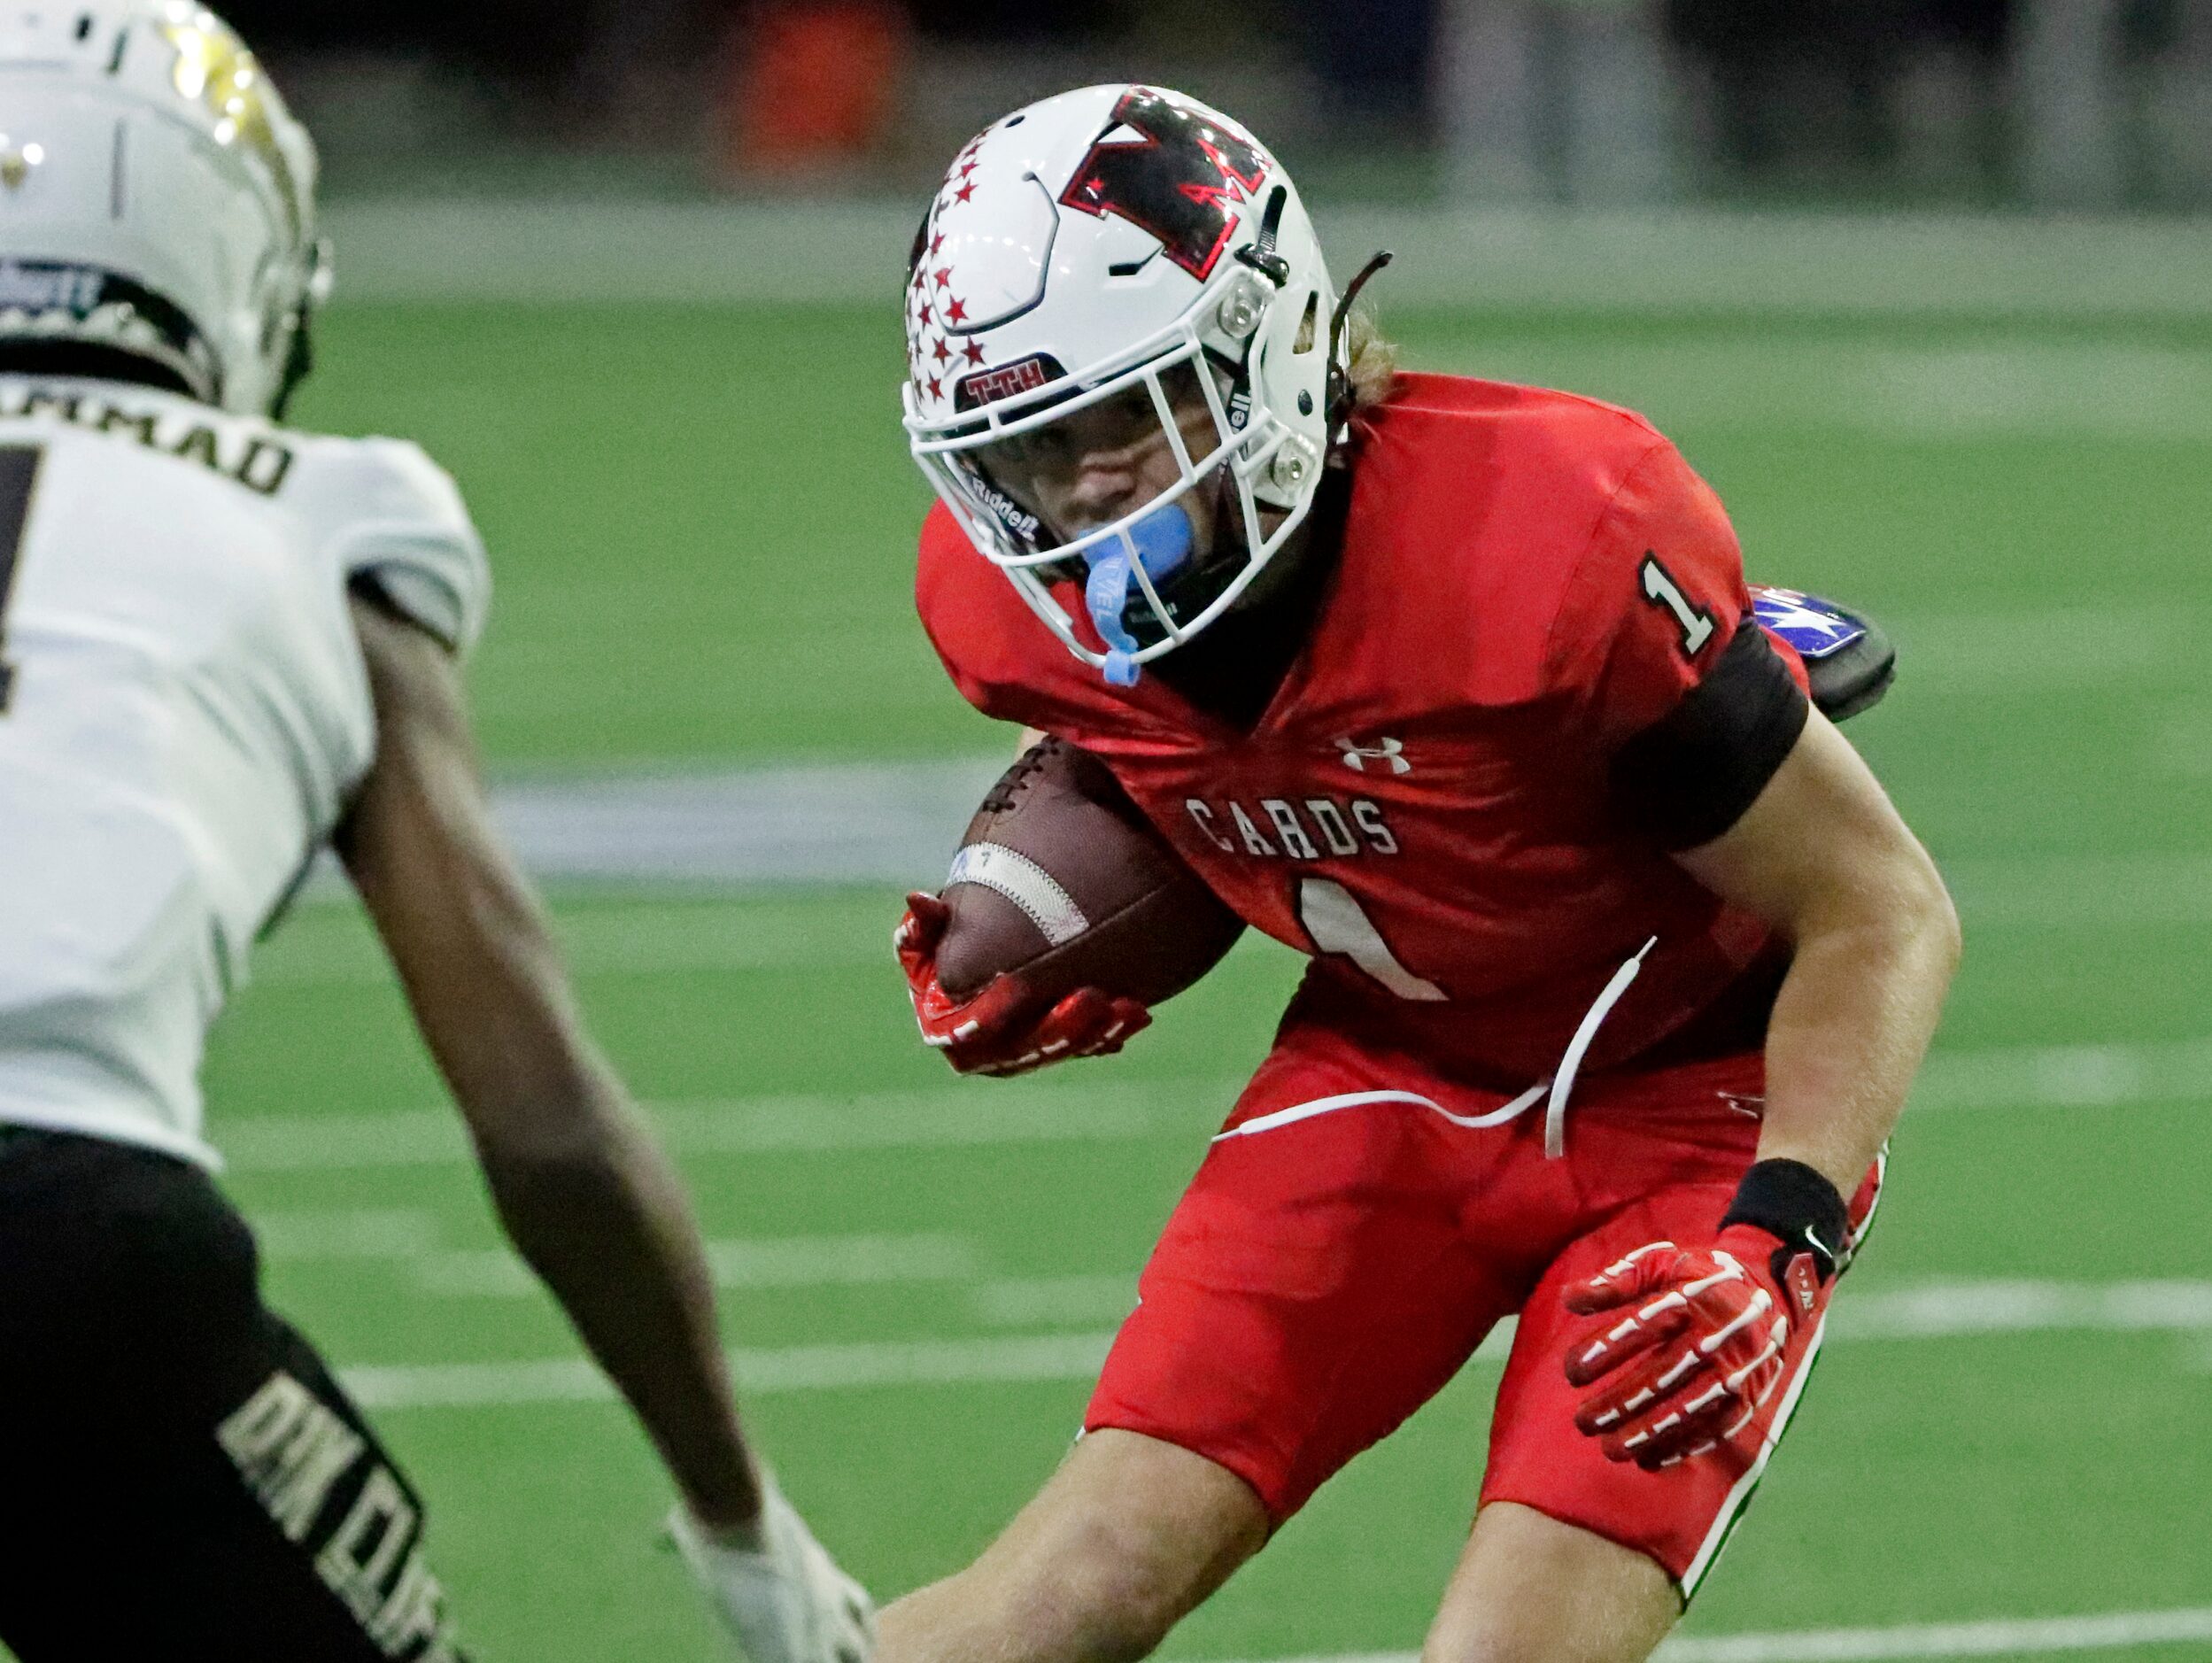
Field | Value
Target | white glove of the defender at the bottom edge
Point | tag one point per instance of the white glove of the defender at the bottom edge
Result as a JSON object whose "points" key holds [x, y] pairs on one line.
{"points": [[780, 1593]]}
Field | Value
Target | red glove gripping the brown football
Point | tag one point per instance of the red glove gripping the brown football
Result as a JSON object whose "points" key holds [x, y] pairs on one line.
{"points": [[997, 1032]]}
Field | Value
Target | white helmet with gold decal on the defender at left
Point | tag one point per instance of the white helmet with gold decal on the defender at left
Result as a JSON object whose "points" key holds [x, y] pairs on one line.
{"points": [[156, 198]]}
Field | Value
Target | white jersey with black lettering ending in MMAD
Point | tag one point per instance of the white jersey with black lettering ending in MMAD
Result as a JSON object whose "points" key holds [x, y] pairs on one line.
{"points": [[185, 713]]}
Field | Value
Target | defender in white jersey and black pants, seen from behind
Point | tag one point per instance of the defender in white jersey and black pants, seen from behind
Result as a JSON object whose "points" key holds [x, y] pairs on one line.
{"points": [[225, 647]]}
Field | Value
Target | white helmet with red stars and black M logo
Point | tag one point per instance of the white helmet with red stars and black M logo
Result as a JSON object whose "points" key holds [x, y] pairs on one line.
{"points": [[1089, 247]]}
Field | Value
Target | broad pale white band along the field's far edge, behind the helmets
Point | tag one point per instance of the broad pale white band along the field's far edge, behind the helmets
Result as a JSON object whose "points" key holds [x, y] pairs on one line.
{"points": [[1733, 260]]}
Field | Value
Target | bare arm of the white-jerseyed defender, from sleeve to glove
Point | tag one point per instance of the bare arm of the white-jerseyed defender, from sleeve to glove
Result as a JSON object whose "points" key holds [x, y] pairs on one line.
{"points": [[583, 1189]]}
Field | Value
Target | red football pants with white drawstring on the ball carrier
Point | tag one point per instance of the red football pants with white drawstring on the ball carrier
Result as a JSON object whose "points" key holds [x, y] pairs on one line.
{"points": [[1331, 1273]]}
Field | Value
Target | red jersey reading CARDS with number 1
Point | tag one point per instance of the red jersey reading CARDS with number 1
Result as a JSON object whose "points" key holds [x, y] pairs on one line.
{"points": [[1525, 583]]}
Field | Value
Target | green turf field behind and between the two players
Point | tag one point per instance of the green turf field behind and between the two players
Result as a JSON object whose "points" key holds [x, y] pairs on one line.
{"points": [[702, 523]]}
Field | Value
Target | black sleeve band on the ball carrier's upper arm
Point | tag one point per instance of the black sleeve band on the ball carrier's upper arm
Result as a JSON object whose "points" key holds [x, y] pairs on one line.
{"points": [[1691, 775]]}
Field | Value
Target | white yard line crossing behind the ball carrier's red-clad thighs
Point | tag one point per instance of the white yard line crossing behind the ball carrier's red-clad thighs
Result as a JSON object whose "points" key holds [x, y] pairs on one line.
{"points": [[1939, 1312]]}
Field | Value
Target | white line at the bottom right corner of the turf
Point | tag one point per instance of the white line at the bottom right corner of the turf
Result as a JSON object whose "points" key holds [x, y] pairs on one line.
{"points": [[2001, 1638]]}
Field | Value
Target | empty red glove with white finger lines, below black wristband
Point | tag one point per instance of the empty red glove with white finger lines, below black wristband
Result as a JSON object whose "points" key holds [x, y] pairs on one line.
{"points": [[1698, 1348]]}
